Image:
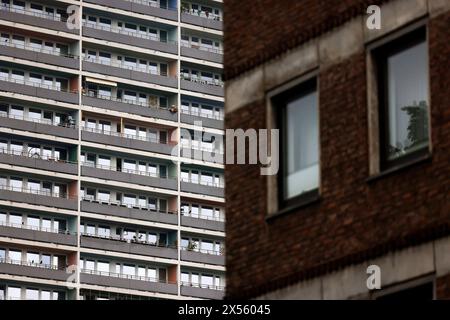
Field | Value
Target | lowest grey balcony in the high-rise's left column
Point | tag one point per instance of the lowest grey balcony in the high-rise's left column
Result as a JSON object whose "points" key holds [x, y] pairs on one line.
{"points": [[33, 270]]}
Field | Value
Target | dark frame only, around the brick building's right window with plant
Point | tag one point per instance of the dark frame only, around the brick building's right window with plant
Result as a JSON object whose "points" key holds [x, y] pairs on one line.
{"points": [[380, 56]]}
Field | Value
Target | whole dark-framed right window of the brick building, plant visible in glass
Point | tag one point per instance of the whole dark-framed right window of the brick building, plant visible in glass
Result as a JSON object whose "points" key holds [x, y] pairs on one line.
{"points": [[402, 67]]}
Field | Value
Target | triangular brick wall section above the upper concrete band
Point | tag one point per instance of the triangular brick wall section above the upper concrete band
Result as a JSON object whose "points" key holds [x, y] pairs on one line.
{"points": [[291, 22]]}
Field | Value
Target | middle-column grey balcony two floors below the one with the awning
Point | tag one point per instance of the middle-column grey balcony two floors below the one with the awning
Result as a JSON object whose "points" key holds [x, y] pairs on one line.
{"points": [[128, 176]]}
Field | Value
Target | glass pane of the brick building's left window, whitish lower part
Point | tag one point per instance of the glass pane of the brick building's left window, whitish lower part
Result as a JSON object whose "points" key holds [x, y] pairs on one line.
{"points": [[302, 151]]}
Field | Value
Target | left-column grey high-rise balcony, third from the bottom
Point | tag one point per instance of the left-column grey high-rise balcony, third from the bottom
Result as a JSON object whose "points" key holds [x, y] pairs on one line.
{"points": [[38, 197]]}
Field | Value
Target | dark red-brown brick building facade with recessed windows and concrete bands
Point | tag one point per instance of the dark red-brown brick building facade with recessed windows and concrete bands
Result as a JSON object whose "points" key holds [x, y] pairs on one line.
{"points": [[360, 206]]}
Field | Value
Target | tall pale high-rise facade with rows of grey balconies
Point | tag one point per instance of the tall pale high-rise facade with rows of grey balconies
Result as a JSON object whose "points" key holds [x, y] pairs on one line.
{"points": [[111, 165]]}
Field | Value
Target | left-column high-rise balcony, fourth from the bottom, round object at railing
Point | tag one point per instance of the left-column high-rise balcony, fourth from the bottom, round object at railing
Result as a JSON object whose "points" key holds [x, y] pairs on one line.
{"points": [[36, 161]]}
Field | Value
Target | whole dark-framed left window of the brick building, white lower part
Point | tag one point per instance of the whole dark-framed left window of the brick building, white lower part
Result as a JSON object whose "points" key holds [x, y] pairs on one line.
{"points": [[297, 113]]}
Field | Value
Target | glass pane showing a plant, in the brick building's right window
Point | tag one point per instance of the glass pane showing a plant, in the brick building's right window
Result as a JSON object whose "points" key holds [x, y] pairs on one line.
{"points": [[407, 101]]}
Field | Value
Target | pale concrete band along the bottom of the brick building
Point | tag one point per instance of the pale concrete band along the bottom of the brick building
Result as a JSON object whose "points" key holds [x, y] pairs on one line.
{"points": [[396, 267]]}
